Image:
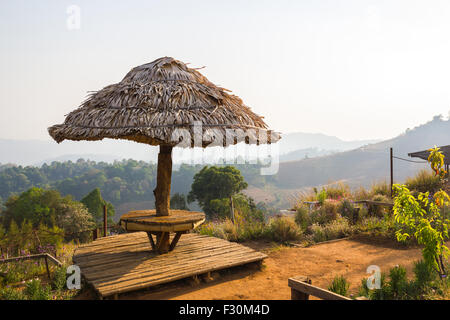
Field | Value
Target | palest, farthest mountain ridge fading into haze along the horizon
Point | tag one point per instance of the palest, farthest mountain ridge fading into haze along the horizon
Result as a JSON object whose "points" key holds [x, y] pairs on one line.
{"points": [[37, 152]]}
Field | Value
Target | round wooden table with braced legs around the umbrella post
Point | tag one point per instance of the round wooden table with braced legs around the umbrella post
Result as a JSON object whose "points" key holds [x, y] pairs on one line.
{"points": [[178, 222]]}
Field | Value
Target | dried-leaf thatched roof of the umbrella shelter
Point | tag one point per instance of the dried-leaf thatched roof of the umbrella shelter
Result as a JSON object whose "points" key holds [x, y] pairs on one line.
{"points": [[159, 103]]}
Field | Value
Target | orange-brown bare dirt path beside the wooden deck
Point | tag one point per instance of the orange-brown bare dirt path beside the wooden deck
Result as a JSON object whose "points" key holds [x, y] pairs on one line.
{"points": [[320, 262]]}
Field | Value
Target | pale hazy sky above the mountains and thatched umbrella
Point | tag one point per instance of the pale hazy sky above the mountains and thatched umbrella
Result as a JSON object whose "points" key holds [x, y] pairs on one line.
{"points": [[355, 69]]}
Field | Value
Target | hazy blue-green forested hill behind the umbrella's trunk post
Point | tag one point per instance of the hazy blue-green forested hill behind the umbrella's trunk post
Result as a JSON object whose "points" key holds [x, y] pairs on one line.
{"points": [[120, 182]]}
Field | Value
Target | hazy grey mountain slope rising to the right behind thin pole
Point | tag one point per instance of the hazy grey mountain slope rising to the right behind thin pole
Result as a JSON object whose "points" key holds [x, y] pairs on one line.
{"points": [[364, 165]]}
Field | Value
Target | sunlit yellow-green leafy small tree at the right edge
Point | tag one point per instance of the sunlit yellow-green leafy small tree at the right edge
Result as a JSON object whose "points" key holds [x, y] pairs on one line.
{"points": [[425, 217]]}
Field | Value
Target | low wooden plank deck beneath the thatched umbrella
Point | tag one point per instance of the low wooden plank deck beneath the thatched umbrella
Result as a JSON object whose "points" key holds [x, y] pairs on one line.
{"points": [[126, 262]]}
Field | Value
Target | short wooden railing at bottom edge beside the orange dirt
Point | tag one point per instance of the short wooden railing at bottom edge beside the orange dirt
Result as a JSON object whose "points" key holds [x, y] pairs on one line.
{"points": [[301, 289]]}
